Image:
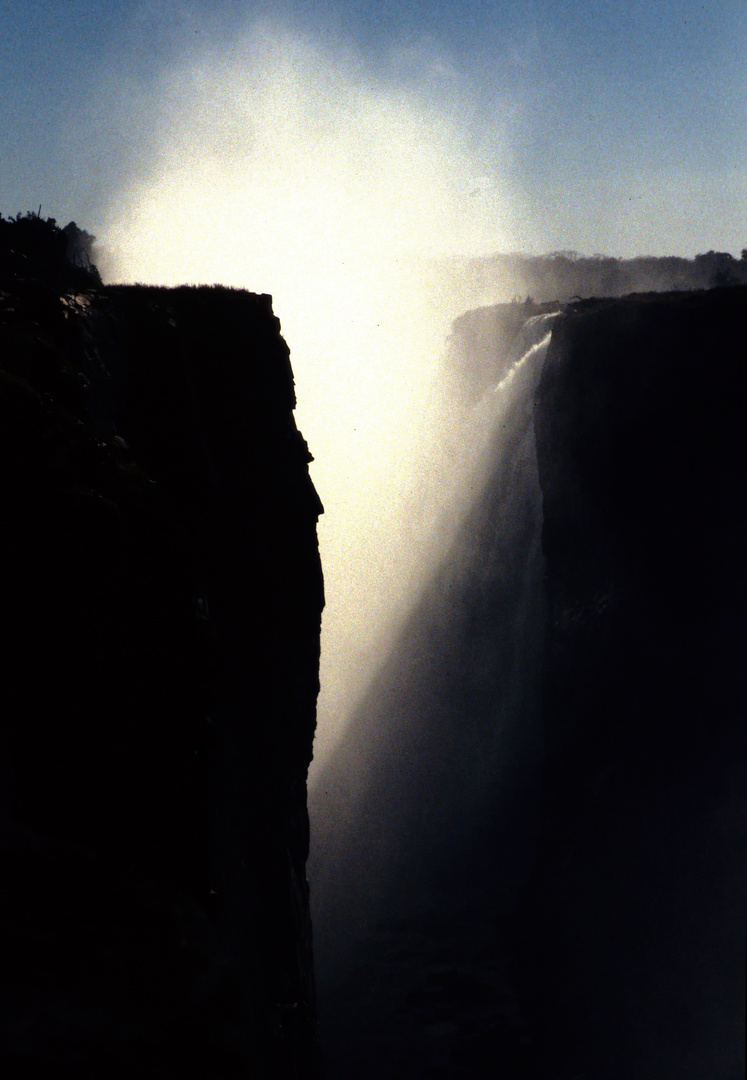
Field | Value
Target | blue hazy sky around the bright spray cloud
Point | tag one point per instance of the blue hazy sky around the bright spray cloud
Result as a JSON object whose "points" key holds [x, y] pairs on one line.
{"points": [[616, 127]]}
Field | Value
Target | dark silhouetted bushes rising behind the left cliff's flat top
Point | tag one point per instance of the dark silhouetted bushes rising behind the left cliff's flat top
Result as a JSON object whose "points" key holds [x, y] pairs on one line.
{"points": [[34, 248]]}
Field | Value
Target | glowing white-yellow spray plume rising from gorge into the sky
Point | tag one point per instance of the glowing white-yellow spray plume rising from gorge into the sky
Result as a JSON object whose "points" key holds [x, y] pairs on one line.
{"points": [[280, 166]]}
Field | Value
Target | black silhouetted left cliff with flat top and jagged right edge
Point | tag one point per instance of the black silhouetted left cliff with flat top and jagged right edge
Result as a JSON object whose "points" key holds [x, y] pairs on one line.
{"points": [[161, 604]]}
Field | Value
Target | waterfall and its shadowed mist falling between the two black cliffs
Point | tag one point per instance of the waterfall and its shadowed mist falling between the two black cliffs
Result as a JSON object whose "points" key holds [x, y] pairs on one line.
{"points": [[424, 822]]}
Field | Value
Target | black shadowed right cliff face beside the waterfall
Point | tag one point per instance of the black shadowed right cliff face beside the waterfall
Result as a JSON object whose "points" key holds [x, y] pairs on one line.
{"points": [[632, 943]]}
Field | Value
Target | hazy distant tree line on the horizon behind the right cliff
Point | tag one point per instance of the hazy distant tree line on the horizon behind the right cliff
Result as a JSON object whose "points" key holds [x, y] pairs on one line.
{"points": [[564, 275]]}
